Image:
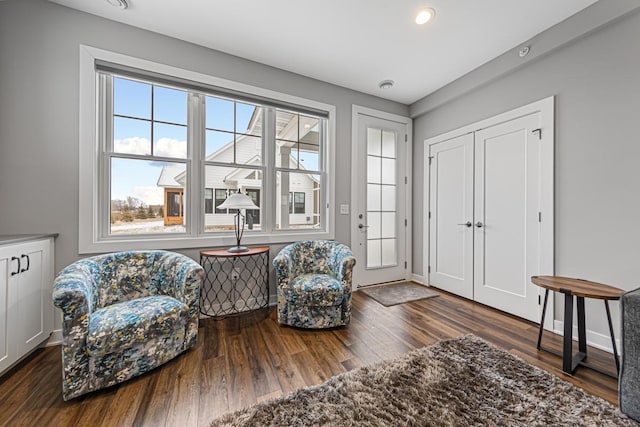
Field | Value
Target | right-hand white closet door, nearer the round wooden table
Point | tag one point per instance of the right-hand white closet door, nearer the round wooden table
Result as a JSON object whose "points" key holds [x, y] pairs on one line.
{"points": [[506, 229]]}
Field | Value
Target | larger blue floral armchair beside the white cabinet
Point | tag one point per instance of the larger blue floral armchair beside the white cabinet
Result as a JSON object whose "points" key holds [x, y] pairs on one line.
{"points": [[124, 314]]}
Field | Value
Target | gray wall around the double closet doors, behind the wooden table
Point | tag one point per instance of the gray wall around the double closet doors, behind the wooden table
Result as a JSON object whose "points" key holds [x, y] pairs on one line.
{"points": [[596, 81]]}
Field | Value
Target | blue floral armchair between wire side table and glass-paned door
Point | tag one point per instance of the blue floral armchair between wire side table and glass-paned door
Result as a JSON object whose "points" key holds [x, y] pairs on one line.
{"points": [[314, 284]]}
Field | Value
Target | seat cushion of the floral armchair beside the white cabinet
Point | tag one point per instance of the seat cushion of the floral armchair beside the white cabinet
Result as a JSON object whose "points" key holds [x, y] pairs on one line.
{"points": [[130, 323]]}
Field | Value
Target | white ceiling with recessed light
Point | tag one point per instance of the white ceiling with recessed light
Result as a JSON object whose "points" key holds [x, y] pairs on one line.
{"points": [[351, 43]]}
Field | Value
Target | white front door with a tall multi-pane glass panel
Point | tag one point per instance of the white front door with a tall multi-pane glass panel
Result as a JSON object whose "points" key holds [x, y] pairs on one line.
{"points": [[380, 194]]}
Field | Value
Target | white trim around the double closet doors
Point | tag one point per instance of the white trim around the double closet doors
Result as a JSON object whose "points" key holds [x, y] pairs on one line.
{"points": [[546, 109]]}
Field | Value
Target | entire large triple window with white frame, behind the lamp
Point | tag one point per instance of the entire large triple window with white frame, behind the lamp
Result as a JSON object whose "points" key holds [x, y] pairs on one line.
{"points": [[172, 145]]}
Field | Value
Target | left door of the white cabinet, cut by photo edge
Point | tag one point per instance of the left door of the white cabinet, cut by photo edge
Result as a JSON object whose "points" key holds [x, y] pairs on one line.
{"points": [[8, 353]]}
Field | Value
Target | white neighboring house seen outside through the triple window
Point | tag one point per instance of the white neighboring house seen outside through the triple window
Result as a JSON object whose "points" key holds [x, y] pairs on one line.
{"points": [[299, 192]]}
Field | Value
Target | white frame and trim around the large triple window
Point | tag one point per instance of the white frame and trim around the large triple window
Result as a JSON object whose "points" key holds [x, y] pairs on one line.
{"points": [[90, 235]]}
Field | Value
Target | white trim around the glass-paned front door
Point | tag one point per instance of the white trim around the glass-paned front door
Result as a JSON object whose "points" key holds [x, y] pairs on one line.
{"points": [[357, 110]]}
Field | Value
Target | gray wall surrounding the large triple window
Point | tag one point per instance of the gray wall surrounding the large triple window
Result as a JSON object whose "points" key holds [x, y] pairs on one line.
{"points": [[39, 45]]}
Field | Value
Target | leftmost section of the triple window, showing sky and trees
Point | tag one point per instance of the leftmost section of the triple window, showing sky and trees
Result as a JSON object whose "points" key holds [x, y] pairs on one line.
{"points": [[149, 129]]}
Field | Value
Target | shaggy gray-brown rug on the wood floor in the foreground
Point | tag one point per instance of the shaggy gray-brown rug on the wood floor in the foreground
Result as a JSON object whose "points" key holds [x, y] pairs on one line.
{"points": [[459, 382]]}
